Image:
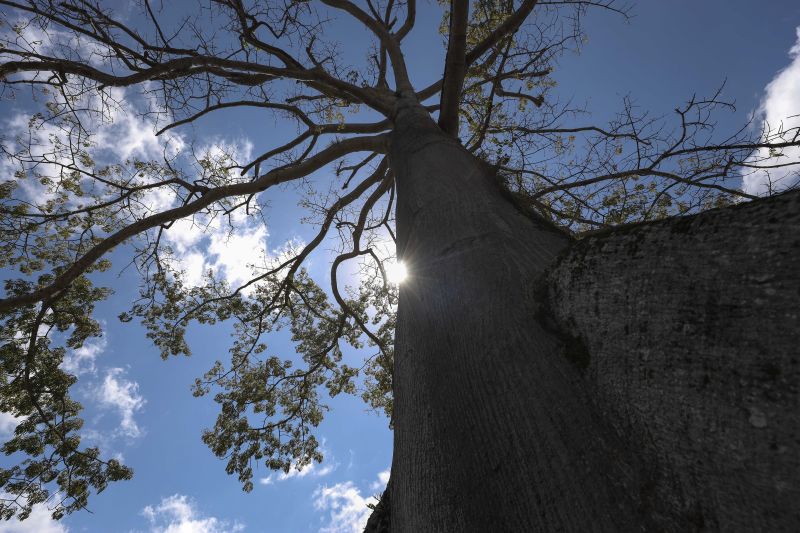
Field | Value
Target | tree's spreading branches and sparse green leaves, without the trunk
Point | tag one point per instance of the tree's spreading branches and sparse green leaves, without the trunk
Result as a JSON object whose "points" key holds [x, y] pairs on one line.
{"points": [[66, 203]]}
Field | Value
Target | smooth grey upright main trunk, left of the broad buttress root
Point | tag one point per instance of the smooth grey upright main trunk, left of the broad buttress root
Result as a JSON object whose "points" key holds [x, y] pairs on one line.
{"points": [[493, 428]]}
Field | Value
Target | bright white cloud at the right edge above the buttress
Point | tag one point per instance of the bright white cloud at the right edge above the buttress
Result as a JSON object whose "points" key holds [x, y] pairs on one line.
{"points": [[779, 109]]}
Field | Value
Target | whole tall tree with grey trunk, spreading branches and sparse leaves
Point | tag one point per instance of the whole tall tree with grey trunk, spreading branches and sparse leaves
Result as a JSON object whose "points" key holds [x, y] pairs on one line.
{"points": [[500, 370]]}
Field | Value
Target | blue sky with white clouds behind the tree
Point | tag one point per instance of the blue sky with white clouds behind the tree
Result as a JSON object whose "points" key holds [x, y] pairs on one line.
{"points": [[140, 407]]}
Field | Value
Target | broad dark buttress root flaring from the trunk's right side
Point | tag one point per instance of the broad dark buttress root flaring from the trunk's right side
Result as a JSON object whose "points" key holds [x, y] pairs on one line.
{"points": [[690, 335]]}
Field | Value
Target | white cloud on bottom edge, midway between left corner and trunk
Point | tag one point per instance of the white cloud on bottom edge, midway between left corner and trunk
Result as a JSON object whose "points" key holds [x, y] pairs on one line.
{"points": [[178, 514]]}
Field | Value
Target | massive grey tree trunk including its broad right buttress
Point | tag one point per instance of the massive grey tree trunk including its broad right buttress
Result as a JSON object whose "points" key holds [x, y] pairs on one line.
{"points": [[499, 424]]}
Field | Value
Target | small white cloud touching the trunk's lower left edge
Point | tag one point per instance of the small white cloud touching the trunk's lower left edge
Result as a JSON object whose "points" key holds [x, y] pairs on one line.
{"points": [[346, 507]]}
